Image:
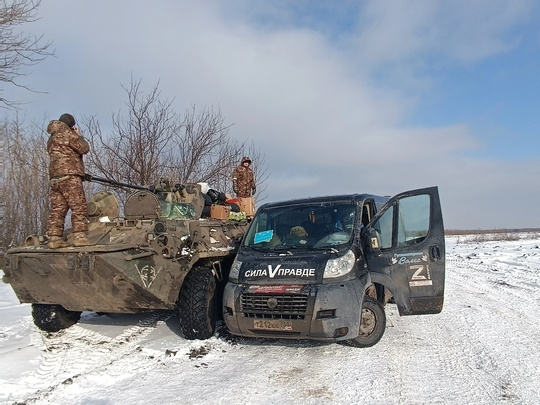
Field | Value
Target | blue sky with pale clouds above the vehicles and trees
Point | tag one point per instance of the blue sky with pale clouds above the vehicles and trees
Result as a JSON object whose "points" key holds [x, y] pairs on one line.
{"points": [[341, 96]]}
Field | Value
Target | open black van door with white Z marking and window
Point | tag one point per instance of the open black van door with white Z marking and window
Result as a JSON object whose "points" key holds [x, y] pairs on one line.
{"points": [[405, 251]]}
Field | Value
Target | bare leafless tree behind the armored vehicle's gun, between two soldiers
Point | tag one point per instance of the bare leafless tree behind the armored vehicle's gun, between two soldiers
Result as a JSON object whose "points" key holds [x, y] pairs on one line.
{"points": [[152, 141]]}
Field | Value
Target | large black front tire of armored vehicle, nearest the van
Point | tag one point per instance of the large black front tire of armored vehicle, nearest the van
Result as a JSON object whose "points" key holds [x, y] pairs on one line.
{"points": [[198, 304]]}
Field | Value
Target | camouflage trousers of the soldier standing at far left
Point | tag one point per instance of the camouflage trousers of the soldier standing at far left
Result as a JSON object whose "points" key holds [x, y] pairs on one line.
{"points": [[66, 194]]}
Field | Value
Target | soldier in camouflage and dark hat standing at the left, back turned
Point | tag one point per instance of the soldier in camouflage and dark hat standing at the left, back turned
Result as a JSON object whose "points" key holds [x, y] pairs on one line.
{"points": [[66, 148]]}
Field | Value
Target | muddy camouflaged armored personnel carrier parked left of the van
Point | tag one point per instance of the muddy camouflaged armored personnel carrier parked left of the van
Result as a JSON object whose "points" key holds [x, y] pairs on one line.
{"points": [[160, 255]]}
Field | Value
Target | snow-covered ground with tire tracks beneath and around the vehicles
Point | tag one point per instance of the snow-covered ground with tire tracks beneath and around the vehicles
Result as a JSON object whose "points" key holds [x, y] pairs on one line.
{"points": [[482, 349]]}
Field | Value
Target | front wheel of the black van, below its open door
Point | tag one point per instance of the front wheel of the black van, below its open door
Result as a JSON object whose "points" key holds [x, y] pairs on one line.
{"points": [[372, 324]]}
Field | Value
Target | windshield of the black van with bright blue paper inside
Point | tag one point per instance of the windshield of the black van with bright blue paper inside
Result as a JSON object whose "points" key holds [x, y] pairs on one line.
{"points": [[305, 226]]}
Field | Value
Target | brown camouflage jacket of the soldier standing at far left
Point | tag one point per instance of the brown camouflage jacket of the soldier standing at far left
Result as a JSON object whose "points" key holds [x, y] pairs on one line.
{"points": [[65, 148]]}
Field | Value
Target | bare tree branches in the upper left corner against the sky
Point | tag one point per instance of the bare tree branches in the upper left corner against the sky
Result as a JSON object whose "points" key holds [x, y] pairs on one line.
{"points": [[17, 49]]}
